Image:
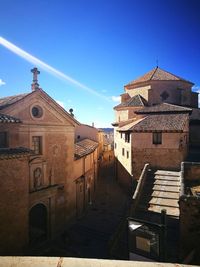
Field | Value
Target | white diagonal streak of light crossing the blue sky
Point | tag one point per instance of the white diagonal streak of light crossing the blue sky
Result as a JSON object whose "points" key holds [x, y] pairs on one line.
{"points": [[34, 60]]}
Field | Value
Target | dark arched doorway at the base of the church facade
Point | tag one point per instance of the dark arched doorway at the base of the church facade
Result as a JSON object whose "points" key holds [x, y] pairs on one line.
{"points": [[38, 224]]}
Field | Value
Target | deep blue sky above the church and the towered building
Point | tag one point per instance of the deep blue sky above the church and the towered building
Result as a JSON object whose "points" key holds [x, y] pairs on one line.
{"points": [[102, 44]]}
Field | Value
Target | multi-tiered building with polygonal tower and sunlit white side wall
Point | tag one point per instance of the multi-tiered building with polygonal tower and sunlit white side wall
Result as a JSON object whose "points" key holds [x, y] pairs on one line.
{"points": [[154, 123]]}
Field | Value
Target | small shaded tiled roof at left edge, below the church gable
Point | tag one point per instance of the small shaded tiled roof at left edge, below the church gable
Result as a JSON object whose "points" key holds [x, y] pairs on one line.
{"points": [[17, 152]]}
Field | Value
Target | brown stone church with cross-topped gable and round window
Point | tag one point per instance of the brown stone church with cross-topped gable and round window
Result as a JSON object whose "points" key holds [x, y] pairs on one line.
{"points": [[47, 176]]}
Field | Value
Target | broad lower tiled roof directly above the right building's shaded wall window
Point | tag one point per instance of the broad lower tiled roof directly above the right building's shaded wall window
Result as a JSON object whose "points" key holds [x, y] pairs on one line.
{"points": [[164, 122]]}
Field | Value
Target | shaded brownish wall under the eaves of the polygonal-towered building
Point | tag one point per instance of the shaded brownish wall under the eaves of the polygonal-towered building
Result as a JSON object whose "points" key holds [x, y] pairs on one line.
{"points": [[167, 155]]}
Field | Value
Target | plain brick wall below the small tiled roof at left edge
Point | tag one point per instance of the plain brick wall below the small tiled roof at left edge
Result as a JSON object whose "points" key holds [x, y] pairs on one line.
{"points": [[13, 205]]}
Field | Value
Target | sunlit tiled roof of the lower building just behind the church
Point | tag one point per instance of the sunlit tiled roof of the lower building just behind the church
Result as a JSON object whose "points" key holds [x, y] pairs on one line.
{"points": [[84, 147]]}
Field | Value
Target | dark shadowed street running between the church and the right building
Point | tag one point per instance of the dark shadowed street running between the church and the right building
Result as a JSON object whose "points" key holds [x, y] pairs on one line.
{"points": [[90, 236]]}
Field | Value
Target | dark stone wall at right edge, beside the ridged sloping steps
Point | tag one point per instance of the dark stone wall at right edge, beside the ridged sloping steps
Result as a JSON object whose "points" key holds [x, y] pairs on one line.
{"points": [[189, 210]]}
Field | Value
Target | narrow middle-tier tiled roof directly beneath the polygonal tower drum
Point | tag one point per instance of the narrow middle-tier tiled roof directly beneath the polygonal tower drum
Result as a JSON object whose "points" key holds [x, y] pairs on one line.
{"points": [[164, 108]]}
